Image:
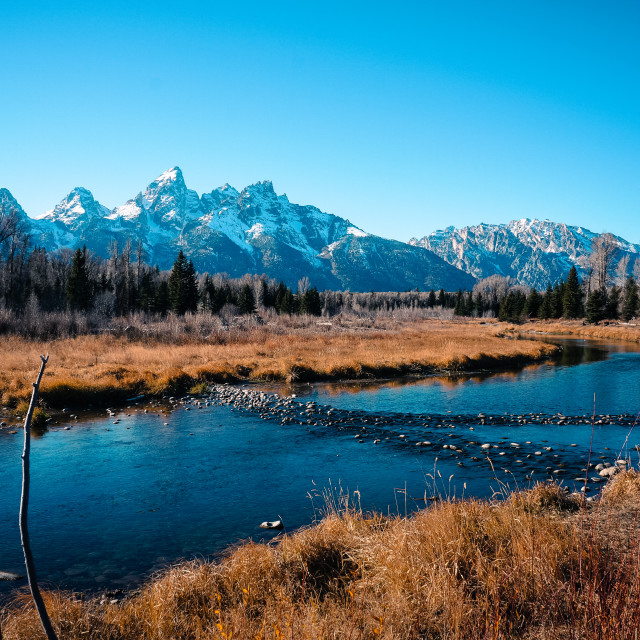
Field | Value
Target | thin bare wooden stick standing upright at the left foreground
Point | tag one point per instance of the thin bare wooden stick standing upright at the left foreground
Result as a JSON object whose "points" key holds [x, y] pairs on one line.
{"points": [[24, 507]]}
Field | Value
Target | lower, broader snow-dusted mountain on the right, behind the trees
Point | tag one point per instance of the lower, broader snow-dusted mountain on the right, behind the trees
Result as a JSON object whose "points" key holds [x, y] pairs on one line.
{"points": [[532, 252]]}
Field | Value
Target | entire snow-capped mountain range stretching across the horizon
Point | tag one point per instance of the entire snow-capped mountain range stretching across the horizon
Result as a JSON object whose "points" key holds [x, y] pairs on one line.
{"points": [[257, 231]]}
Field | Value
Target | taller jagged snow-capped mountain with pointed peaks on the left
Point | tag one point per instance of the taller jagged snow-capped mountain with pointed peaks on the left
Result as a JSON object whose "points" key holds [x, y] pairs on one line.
{"points": [[237, 232]]}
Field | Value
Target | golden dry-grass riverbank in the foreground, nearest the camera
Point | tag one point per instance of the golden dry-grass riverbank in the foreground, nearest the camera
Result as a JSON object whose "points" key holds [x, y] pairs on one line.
{"points": [[535, 565]]}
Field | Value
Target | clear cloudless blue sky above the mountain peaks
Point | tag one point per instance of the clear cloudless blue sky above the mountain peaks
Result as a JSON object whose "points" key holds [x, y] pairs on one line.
{"points": [[403, 117]]}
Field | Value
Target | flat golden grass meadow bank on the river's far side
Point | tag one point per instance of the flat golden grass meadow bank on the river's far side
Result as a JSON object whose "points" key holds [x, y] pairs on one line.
{"points": [[109, 369]]}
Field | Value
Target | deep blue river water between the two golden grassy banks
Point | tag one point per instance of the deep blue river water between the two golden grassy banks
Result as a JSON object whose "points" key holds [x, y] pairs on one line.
{"points": [[114, 499]]}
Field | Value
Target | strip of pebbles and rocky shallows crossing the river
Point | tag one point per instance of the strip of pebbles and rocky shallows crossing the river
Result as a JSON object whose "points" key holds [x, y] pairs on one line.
{"points": [[447, 436]]}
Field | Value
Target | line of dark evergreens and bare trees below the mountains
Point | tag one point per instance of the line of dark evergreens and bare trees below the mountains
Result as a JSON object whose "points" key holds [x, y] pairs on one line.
{"points": [[36, 281]]}
